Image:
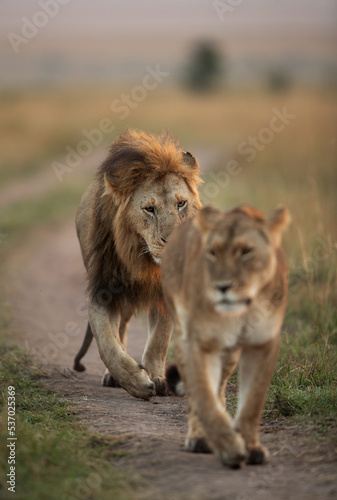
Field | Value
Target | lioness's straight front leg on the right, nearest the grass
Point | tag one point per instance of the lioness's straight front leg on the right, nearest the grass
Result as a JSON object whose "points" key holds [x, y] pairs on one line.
{"points": [[256, 368]]}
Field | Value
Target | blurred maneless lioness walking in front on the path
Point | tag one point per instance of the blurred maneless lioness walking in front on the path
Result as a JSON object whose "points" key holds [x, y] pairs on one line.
{"points": [[224, 278]]}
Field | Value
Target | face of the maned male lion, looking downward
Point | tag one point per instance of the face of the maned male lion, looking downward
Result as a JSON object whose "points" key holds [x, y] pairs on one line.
{"points": [[156, 209]]}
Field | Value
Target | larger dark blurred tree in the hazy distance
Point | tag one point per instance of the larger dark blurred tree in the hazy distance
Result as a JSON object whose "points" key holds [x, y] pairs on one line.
{"points": [[205, 69]]}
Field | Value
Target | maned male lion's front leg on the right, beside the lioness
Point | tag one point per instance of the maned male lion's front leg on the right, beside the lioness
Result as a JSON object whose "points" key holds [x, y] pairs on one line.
{"points": [[154, 357]]}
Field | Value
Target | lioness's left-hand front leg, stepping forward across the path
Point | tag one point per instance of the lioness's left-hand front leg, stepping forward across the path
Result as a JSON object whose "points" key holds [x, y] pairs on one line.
{"points": [[203, 373]]}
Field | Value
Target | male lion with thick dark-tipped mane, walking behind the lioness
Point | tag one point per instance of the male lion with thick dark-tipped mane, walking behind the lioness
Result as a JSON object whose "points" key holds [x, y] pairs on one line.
{"points": [[145, 187]]}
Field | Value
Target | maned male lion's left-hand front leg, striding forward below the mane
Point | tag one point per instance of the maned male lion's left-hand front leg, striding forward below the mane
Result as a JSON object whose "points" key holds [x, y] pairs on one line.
{"points": [[124, 369]]}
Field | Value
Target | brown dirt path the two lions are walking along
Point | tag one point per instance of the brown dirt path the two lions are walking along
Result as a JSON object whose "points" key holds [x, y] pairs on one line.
{"points": [[47, 295]]}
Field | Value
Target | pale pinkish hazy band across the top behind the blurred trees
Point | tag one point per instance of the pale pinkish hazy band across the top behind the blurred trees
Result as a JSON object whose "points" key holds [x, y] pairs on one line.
{"points": [[115, 39]]}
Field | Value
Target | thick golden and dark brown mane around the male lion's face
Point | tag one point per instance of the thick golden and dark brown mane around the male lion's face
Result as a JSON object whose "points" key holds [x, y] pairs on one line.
{"points": [[134, 159]]}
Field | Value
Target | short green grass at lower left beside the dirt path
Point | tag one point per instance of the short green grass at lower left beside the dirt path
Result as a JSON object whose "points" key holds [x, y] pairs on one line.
{"points": [[56, 458]]}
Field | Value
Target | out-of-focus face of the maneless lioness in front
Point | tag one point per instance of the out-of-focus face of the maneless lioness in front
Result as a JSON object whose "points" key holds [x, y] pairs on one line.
{"points": [[240, 261]]}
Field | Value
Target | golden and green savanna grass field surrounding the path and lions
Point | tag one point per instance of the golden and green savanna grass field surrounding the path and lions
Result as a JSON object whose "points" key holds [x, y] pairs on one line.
{"points": [[295, 166]]}
